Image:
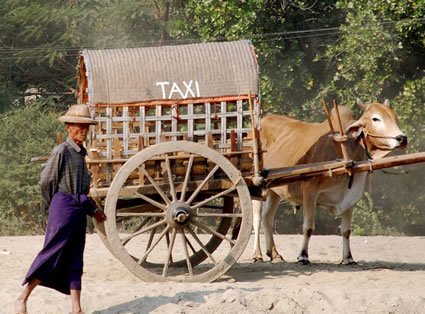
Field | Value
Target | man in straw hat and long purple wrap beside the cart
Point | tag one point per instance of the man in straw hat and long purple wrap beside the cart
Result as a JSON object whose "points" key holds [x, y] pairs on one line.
{"points": [[65, 183]]}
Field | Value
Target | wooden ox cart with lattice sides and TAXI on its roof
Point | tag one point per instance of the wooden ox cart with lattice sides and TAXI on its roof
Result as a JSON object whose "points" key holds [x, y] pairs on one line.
{"points": [[175, 155]]}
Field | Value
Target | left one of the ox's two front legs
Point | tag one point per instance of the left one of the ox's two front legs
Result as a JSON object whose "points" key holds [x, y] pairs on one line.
{"points": [[309, 214]]}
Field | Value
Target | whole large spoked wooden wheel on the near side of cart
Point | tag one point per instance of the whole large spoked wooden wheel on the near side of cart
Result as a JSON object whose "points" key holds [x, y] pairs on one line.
{"points": [[170, 229]]}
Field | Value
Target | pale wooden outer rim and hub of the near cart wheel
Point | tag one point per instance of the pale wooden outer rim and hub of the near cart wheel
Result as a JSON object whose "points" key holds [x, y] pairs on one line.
{"points": [[178, 214]]}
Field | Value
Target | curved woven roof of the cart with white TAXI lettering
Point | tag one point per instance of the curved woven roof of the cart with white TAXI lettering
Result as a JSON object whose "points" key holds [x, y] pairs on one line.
{"points": [[173, 73]]}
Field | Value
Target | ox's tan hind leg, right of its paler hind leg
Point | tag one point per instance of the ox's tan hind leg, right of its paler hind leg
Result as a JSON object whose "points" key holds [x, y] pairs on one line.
{"points": [[270, 207]]}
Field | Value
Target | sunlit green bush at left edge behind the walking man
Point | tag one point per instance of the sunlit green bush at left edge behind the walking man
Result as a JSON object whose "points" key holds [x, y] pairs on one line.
{"points": [[25, 132]]}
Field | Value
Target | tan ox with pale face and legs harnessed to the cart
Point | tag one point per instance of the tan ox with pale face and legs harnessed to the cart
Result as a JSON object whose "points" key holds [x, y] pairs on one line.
{"points": [[289, 142]]}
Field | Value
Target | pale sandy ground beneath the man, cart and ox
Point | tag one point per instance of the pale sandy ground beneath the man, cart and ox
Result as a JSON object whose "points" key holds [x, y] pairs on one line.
{"points": [[389, 278]]}
